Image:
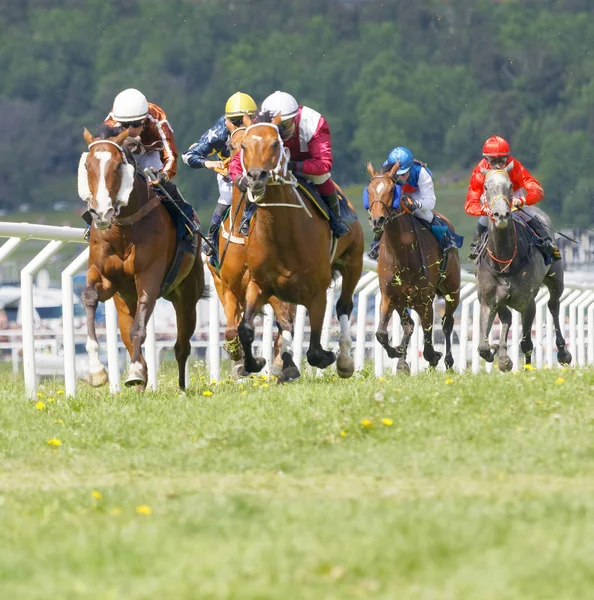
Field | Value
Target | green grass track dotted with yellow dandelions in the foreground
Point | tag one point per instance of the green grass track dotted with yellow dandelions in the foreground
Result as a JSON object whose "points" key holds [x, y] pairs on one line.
{"points": [[482, 487]]}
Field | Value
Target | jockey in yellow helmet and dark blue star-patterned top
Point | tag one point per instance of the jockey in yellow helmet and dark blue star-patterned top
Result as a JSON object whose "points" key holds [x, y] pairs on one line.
{"points": [[215, 143]]}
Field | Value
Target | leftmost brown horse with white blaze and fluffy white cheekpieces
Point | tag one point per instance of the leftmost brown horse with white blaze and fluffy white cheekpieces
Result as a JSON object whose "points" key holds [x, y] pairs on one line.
{"points": [[132, 246]]}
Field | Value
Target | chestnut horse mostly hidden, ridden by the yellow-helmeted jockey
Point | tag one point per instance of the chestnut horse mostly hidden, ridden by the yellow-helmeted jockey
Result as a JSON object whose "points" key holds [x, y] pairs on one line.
{"points": [[231, 279]]}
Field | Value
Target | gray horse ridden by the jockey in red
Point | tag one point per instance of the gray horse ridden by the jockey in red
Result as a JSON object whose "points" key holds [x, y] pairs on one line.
{"points": [[510, 272]]}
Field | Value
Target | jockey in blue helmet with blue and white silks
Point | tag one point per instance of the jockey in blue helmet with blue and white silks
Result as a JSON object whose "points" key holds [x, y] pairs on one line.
{"points": [[418, 196]]}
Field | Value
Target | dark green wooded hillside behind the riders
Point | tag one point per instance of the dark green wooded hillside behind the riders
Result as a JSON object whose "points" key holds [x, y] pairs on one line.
{"points": [[437, 77]]}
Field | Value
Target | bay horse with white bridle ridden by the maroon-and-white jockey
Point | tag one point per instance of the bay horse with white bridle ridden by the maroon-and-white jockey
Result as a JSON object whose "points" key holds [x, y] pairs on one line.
{"points": [[289, 253]]}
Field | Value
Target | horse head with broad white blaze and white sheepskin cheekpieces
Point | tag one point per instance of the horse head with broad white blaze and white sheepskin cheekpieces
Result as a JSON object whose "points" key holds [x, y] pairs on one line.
{"points": [[105, 176]]}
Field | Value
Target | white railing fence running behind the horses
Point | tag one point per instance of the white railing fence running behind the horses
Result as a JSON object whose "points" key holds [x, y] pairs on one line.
{"points": [[577, 318]]}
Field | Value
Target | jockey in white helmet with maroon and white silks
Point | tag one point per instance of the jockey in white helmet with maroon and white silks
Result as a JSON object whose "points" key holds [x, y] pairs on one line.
{"points": [[306, 134]]}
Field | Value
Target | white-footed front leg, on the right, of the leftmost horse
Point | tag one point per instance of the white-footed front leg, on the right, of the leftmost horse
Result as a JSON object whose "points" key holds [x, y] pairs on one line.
{"points": [[147, 288]]}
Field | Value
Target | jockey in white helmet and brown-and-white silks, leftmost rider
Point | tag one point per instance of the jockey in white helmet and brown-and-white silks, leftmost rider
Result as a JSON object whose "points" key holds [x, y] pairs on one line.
{"points": [[149, 122]]}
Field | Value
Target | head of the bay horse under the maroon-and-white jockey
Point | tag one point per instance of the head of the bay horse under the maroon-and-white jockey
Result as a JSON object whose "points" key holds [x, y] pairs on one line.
{"points": [[263, 155]]}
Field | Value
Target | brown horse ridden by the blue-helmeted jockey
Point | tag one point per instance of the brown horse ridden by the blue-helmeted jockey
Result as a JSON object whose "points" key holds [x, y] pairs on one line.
{"points": [[409, 274]]}
